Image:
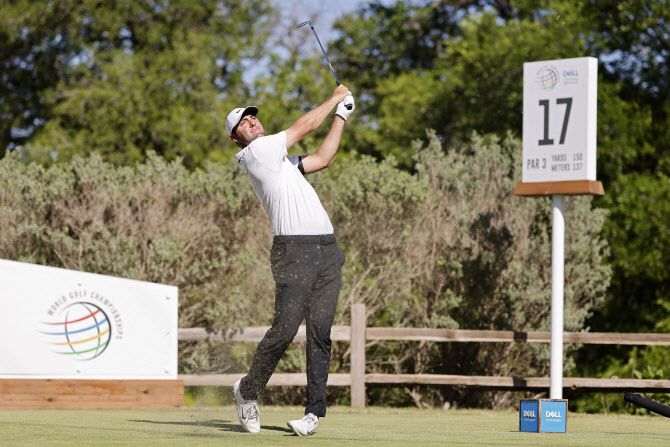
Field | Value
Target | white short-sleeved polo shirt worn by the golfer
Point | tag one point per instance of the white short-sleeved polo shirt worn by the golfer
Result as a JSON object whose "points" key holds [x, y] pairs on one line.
{"points": [[288, 198]]}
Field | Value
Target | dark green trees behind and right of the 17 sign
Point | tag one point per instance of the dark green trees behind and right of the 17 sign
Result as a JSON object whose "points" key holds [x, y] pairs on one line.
{"points": [[471, 80]]}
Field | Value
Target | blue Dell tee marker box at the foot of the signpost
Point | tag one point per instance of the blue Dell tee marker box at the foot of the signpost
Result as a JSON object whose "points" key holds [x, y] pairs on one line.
{"points": [[543, 415]]}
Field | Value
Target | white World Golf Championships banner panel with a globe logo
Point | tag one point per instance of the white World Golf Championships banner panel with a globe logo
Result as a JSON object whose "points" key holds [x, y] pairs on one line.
{"points": [[64, 324]]}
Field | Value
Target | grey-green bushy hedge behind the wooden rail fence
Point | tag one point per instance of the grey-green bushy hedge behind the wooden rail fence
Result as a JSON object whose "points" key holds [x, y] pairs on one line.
{"points": [[445, 246]]}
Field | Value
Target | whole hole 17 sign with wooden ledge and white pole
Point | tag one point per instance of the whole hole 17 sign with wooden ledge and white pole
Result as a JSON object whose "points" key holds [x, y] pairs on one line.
{"points": [[559, 158]]}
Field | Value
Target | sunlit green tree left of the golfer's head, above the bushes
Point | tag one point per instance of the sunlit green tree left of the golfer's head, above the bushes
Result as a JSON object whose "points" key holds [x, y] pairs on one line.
{"points": [[125, 78]]}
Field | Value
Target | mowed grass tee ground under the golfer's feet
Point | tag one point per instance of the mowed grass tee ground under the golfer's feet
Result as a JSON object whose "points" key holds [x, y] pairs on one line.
{"points": [[384, 427]]}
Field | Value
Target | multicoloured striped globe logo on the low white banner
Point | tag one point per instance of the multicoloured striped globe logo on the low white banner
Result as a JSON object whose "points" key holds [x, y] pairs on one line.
{"points": [[82, 330]]}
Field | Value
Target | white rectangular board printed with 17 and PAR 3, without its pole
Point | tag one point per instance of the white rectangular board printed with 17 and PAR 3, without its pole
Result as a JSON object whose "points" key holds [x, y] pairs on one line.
{"points": [[559, 120]]}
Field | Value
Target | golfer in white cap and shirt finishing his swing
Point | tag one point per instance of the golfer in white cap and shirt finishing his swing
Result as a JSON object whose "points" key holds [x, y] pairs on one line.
{"points": [[305, 259]]}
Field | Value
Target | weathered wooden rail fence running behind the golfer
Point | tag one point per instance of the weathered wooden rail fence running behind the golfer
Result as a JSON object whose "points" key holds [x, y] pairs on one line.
{"points": [[358, 333]]}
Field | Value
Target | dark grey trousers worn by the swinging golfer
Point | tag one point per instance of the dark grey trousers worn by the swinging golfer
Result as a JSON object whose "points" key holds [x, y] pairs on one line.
{"points": [[307, 273]]}
